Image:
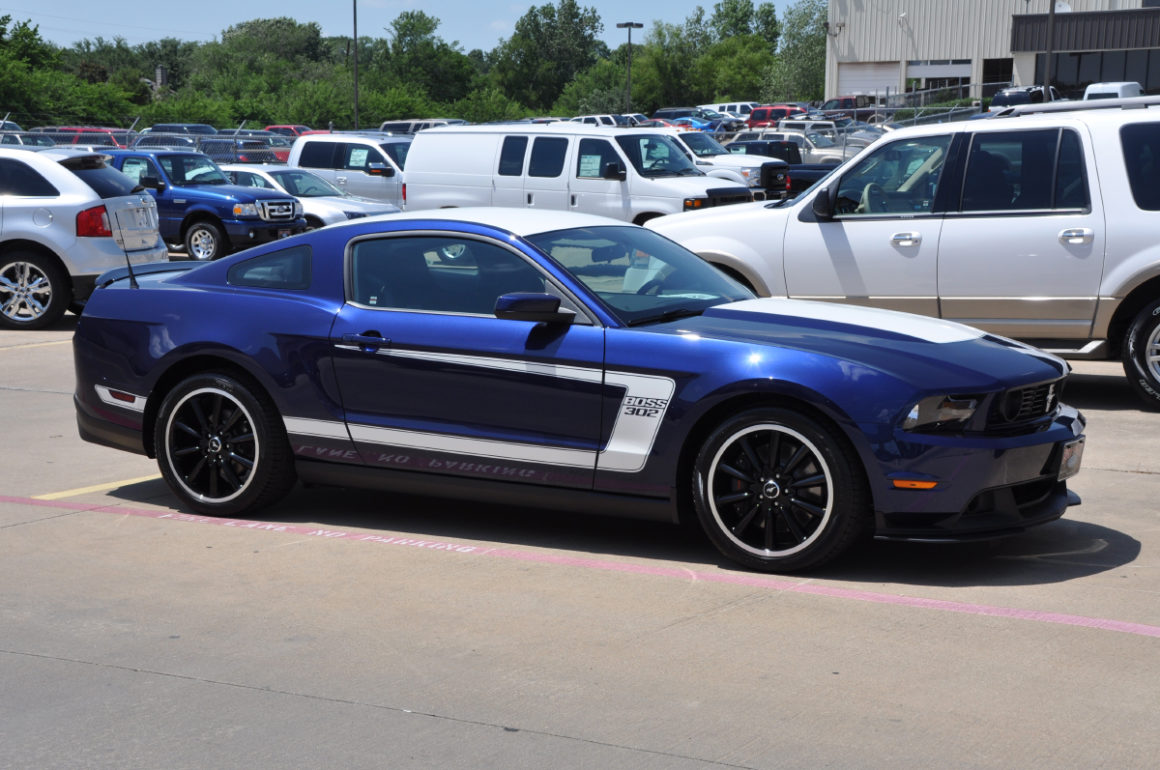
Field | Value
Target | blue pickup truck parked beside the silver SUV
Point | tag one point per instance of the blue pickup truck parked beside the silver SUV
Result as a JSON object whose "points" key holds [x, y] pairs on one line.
{"points": [[201, 210]]}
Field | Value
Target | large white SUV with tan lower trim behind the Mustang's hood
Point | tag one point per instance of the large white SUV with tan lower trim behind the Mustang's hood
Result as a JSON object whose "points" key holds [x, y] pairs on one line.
{"points": [[1040, 227]]}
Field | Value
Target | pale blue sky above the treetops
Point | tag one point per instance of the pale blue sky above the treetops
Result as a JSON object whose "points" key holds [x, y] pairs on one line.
{"points": [[473, 25]]}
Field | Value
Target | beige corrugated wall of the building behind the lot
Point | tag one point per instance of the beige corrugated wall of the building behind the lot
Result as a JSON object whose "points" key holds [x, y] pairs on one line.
{"points": [[905, 31]]}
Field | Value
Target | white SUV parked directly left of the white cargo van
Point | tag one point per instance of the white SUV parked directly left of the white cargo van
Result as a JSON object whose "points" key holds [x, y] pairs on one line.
{"points": [[367, 165]]}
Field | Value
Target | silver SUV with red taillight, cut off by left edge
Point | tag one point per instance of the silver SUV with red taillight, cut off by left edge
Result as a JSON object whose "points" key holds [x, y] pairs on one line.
{"points": [[68, 219]]}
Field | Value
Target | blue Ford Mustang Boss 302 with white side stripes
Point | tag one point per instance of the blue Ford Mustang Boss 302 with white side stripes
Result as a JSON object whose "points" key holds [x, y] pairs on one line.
{"points": [[570, 362]]}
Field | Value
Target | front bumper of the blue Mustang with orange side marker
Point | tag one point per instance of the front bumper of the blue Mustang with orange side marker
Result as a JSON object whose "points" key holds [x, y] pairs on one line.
{"points": [[988, 488]]}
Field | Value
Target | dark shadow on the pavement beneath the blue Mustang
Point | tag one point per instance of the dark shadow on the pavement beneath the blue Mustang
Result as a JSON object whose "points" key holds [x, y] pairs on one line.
{"points": [[1056, 553]]}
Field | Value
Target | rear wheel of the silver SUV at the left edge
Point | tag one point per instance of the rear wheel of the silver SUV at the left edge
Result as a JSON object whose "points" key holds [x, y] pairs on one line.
{"points": [[34, 292]]}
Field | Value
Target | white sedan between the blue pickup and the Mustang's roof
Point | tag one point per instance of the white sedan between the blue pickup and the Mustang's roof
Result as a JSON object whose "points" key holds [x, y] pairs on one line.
{"points": [[322, 202]]}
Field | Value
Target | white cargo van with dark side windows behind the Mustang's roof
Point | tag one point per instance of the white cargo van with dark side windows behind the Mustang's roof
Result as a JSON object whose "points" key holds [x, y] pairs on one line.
{"points": [[629, 175]]}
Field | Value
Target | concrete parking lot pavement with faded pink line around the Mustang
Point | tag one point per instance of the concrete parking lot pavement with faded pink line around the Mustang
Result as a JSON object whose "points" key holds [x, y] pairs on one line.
{"points": [[360, 630]]}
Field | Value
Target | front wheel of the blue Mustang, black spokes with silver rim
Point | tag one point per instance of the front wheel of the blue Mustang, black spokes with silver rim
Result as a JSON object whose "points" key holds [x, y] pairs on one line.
{"points": [[779, 492]]}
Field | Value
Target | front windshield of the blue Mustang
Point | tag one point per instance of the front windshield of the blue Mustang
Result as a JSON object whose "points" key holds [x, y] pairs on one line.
{"points": [[640, 277]]}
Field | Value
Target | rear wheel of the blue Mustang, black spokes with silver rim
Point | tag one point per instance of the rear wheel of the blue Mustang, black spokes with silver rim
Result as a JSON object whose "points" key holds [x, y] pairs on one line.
{"points": [[222, 446]]}
